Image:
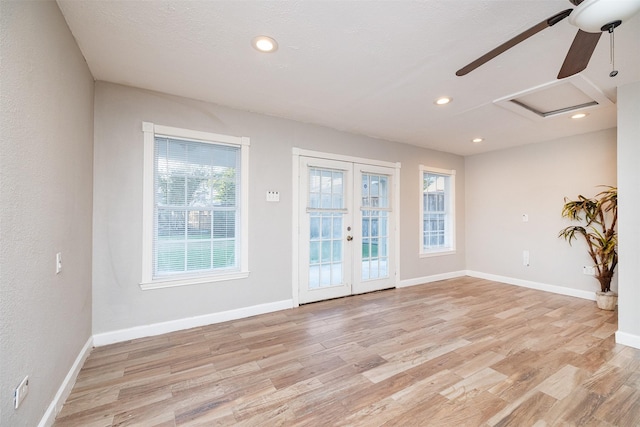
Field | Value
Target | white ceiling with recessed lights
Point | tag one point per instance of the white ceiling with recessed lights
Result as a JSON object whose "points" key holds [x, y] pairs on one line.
{"points": [[367, 67]]}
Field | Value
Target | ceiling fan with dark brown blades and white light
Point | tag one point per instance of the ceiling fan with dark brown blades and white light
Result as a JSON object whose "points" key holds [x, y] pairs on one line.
{"points": [[592, 17]]}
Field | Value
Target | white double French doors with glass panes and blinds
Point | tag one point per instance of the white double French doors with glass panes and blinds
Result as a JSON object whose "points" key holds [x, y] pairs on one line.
{"points": [[346, 237]]}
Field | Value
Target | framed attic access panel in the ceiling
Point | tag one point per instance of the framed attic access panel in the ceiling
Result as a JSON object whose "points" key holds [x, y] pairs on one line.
{"points": [[555, 98]]}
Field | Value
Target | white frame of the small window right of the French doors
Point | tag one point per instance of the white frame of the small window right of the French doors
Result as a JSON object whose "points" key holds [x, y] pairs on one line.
{"points": [[450, 216]]}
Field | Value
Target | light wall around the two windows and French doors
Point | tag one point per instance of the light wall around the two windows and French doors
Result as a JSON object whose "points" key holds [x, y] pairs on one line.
{"points": [[118, 301]]}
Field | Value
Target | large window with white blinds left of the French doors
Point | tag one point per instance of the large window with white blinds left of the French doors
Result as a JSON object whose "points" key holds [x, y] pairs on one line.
{"points": [[195, 220]]}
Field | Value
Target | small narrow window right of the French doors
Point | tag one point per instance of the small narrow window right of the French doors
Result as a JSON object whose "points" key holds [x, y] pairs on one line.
{"points": [[437, 211]]}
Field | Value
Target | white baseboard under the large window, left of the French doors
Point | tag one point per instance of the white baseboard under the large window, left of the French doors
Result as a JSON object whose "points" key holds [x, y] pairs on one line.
{"points": [[121, 335]]}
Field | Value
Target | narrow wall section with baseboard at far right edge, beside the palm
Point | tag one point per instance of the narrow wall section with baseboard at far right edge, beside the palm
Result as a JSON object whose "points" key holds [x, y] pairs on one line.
{"points": [[629, 214]]}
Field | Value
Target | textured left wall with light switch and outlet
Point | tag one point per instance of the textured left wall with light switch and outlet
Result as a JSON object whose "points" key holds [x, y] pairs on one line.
{"points": [[45, 205]]}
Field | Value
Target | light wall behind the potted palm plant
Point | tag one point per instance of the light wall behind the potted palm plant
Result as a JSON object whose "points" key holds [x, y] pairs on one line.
{"points": [[501, 186]]}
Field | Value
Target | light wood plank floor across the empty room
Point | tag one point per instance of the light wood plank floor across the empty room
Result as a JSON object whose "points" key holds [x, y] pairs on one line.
{"points": [[461, 352]]}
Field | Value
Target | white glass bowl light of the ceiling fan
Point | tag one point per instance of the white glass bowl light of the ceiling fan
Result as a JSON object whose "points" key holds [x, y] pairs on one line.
{"points": [[592, 15]]}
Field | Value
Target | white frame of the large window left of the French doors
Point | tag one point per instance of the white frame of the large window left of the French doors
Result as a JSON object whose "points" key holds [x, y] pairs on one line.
{"points": [[150, 130]]}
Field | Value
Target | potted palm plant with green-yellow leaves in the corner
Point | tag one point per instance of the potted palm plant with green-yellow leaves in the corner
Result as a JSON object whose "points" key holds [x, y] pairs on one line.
{"points": [[597, 217]]}
